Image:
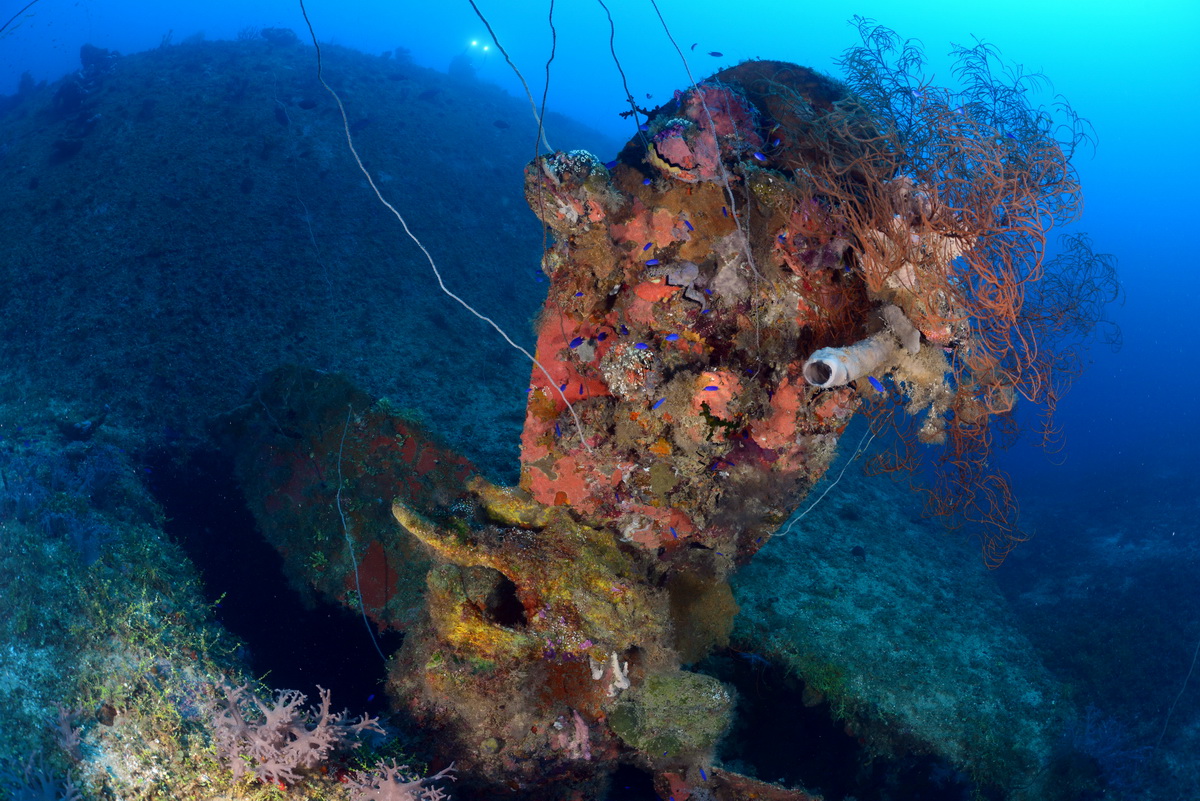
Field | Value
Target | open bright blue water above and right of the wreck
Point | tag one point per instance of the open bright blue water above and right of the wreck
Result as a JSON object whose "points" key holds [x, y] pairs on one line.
{"points": [[1131, 69]]}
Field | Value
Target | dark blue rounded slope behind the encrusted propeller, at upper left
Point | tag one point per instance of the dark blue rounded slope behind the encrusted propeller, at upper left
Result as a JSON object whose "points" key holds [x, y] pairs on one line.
{"points": [[182, 221]]}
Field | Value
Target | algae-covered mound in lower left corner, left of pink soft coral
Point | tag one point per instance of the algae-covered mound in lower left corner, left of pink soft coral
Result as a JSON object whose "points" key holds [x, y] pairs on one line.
{"points": [[110, 654]]}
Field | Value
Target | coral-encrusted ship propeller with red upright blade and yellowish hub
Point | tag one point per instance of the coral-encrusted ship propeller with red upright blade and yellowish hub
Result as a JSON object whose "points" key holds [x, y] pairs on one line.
{"points": [[748, 273]]}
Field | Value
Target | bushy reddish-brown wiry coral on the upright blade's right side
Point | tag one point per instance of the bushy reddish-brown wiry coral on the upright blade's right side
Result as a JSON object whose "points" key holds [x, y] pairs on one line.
{"points": [[947, 197]]}
